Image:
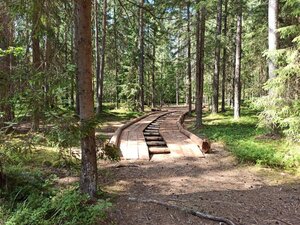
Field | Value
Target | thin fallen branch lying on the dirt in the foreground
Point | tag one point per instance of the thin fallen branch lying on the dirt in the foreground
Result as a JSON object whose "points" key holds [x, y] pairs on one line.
{"points": [[185, 210]]}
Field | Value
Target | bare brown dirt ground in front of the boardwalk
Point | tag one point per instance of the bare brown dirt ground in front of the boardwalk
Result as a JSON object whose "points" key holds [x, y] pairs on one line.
{"points": [[217, 184]]}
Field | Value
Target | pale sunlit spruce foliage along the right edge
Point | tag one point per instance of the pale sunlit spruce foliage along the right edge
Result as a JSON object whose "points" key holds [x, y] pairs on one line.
{"points": [[280, 110]]}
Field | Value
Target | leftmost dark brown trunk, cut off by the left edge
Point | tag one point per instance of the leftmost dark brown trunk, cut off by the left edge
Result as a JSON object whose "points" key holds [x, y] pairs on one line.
{"points": [[5, 64]]}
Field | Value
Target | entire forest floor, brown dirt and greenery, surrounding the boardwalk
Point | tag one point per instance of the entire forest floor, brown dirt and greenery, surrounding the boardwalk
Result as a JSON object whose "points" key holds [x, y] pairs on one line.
{"points": [[224, 184]]}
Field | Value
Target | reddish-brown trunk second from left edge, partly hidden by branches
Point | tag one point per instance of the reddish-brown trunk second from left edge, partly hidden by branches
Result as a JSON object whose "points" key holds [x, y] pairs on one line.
{"points": [[36, 58]]}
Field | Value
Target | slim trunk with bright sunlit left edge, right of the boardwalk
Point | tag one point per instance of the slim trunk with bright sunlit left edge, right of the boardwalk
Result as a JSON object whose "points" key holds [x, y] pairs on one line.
{"points": [[237, 72]]}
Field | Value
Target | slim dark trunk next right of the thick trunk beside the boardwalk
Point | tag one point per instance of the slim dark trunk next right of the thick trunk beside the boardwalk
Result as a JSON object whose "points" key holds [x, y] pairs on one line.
{"points": [[215, 86]]}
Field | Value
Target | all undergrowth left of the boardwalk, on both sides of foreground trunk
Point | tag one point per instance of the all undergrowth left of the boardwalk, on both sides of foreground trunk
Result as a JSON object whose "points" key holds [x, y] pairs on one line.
{"points": [[30, 165]]}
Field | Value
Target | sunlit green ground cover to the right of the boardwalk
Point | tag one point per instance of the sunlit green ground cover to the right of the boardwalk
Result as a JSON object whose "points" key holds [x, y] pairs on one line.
{"points": [[240, 137]]}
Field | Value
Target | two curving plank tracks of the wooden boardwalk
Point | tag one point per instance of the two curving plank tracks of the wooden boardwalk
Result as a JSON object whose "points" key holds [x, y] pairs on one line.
{"points": [[133, 145]]}
